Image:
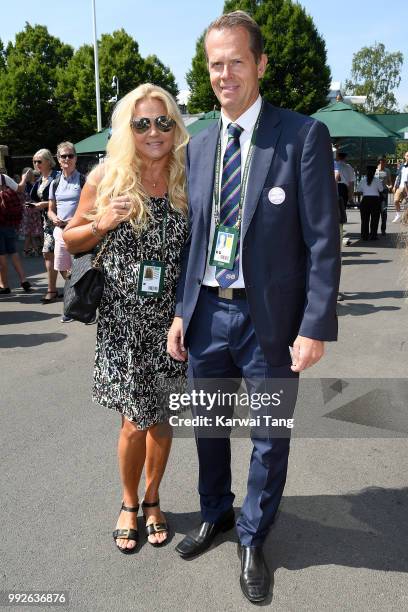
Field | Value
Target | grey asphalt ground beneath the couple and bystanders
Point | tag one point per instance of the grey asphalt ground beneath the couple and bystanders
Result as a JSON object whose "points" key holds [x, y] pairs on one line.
{"points": [[340, 541]]}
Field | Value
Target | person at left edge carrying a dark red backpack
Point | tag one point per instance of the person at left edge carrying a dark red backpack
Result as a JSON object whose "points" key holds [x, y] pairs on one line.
{"points": [[11, 213]]}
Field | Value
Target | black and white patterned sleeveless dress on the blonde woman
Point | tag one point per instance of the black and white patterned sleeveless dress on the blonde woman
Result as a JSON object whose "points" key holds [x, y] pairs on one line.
{"points": [[131, 362]]}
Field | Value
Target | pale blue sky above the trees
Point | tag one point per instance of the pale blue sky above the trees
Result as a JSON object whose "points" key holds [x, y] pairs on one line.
{"points": [[170, 29]]}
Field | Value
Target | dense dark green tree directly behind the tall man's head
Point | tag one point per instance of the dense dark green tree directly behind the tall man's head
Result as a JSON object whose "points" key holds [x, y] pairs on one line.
{"points": [[297, 75]]}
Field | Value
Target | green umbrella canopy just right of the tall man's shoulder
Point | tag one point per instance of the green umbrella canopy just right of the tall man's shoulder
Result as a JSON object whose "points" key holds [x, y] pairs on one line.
{"points": [[344, 122]]}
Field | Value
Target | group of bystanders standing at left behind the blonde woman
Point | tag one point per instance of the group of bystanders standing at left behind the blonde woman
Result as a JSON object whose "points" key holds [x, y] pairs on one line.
{"points": [[38, 207]]}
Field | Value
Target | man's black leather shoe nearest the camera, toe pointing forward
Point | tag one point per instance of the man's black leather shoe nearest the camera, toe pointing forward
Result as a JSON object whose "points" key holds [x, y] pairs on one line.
{"points": [[255, 579]]}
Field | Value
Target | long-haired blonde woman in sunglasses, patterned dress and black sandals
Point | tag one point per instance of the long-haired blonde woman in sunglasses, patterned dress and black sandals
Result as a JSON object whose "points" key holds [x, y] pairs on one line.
{"points": [[134, 206]]}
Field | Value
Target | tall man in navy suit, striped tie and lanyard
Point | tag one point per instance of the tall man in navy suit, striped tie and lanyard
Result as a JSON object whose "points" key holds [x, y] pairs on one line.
{"points": [[260, 184]]}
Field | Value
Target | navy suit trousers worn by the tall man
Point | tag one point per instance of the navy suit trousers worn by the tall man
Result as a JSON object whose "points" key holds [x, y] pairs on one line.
{"points": [[223, 352]]}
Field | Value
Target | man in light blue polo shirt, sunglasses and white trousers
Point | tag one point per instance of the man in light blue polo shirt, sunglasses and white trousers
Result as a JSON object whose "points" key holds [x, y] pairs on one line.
{"points": [[65, 191]]}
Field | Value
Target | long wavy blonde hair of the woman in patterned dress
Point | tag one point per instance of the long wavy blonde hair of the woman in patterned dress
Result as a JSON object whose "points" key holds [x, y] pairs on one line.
{"points": [[122, 166]]}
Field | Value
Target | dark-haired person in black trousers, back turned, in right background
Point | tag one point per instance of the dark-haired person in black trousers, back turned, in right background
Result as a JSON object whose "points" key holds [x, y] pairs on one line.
{"points": [[370, 207]]}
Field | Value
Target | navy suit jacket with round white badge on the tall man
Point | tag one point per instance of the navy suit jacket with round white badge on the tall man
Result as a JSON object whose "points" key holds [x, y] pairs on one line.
{"points": [[290, 251]]}
